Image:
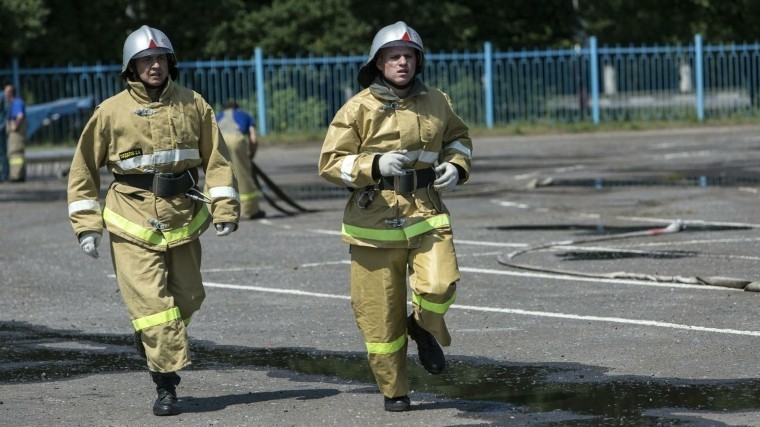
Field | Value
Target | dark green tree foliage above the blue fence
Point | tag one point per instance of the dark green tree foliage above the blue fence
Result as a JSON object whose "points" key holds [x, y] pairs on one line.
{"points": [[55, 32]]}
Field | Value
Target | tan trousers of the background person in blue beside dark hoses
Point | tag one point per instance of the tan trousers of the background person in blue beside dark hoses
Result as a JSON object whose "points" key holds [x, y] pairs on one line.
{"points": [[240, 154]]}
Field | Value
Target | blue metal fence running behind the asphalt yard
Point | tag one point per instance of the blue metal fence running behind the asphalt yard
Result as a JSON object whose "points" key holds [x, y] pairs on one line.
{"points": [[489, 88]]}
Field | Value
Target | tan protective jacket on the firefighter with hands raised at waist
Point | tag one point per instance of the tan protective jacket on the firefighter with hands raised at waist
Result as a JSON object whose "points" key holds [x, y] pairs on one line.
{"points": [[374, 122]]}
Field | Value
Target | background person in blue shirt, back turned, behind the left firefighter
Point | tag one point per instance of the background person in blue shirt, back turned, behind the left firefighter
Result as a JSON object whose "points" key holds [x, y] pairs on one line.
{"points": [[239, 131]]}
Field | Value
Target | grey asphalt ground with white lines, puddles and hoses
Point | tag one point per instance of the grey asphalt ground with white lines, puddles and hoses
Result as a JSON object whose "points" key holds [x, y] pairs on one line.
{"points": [[575, 306]]}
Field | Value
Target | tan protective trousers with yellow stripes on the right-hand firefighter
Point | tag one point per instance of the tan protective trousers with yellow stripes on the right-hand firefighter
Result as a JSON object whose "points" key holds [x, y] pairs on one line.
{"points": [[378, 298]]}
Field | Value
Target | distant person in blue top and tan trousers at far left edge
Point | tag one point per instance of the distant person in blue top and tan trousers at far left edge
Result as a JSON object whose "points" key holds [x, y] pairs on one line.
{"points": [[16, 130]]}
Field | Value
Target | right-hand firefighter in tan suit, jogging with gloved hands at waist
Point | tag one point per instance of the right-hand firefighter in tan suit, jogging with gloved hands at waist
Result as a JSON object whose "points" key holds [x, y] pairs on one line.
{"points": [[396, 145]]}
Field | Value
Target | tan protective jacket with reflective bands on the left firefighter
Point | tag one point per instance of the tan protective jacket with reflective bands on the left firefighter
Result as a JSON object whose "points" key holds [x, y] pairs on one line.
{"points": [[130, 134]]}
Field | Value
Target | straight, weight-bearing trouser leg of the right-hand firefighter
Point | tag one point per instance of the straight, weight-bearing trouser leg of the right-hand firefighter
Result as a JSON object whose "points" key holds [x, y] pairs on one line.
{"points": [[378, 298]]}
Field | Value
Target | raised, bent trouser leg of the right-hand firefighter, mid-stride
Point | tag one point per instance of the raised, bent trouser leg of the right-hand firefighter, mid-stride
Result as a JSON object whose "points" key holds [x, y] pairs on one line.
{"points": [[433, 273]]}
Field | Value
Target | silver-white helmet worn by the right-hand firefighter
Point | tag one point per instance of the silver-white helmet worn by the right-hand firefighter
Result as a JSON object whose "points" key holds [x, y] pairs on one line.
{"points": [[398, 34]]}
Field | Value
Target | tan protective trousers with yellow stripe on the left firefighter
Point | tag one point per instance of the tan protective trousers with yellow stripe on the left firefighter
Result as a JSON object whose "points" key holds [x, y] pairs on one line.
{"points": [[161, 290]]}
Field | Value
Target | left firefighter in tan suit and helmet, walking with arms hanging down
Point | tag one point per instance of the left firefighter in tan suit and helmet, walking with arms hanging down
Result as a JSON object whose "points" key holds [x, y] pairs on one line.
{"points": [[153, 137]]}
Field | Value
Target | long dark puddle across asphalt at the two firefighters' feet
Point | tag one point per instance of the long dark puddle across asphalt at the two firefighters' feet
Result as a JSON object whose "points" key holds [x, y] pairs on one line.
{"points": [[33, 354]]}
